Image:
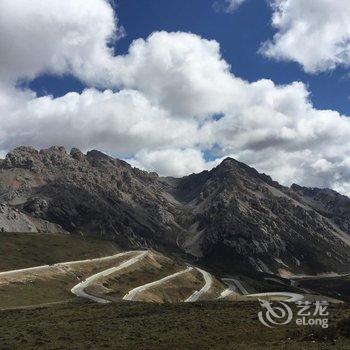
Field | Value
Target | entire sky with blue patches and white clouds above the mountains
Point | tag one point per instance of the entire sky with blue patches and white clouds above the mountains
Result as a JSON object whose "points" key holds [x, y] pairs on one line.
{"points": [[175, 87]]}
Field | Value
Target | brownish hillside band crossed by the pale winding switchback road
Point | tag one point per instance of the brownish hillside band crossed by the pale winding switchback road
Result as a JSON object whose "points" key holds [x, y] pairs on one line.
{"points": [[143, 275]]}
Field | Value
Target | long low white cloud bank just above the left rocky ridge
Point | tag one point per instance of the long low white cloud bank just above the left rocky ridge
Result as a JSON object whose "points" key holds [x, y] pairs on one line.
{"points": [[122, 122]]}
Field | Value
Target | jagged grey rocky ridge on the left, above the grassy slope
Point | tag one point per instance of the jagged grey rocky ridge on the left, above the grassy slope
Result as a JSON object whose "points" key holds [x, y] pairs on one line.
{"points": [[93, 193]]}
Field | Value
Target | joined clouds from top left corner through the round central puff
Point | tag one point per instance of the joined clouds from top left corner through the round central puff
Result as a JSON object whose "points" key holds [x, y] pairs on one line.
{"points": [[176, 70]]}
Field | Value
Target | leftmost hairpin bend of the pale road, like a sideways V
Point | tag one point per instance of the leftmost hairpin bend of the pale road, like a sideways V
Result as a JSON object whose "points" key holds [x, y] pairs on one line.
{"points": [[79, 289]]}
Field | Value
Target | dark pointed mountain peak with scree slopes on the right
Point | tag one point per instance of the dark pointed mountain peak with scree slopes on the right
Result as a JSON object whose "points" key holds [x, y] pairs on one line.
{"points": [[241, 215]]}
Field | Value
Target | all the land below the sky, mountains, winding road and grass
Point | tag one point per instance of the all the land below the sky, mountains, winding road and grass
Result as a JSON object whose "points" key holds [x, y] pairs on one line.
{"points": [[112, 253]]}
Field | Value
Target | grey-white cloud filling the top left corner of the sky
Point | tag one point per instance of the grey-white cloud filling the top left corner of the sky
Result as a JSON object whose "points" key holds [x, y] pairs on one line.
{"points": [[55, 36]]}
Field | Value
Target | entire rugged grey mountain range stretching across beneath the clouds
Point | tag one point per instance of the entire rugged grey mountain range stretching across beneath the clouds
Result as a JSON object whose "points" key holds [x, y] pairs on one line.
{"points": [[232, 217]]}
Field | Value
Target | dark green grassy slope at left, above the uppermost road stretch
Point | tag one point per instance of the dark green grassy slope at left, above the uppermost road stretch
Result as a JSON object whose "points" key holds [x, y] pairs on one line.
{"points": [[21, 250]]}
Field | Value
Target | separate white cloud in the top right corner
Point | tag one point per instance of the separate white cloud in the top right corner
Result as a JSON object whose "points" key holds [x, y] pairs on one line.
{"points": [[314, 33]]}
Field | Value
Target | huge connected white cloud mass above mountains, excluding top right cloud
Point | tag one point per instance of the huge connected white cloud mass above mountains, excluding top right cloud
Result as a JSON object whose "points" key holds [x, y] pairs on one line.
{"points": [[155, 103]]}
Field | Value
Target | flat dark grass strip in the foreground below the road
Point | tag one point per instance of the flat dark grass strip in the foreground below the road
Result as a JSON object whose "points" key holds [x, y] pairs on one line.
{"points": [[144, 326]]}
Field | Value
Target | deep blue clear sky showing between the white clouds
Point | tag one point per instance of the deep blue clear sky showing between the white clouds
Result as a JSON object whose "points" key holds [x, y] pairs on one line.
{"points": [[240, 35]]}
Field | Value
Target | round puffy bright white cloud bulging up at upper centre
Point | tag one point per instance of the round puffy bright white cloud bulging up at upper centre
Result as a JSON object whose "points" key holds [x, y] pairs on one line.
{"points": [[180, 71]]}
